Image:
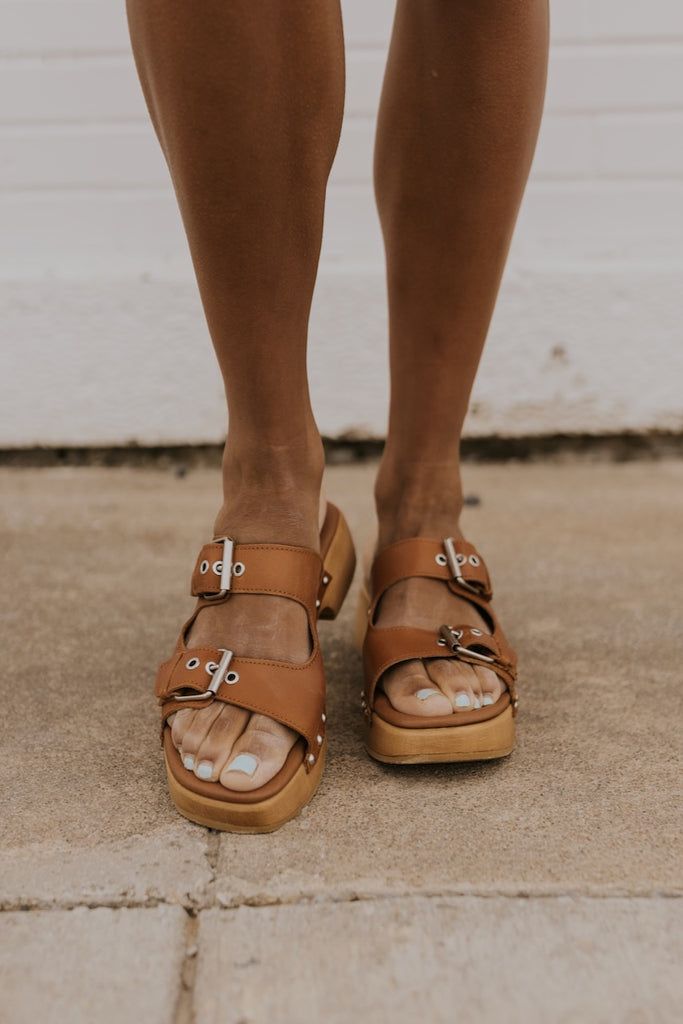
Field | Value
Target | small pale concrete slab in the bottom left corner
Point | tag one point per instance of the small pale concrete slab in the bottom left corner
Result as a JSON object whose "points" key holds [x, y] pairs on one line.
{"points": [[82, 967]]}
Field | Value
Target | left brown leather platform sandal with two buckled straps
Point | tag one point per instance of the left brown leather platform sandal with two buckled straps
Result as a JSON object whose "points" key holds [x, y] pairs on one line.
{"points": [[291, 694]]}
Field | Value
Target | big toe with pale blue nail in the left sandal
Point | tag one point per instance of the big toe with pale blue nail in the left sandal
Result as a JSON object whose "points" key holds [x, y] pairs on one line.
{"points": [[258, 755]]}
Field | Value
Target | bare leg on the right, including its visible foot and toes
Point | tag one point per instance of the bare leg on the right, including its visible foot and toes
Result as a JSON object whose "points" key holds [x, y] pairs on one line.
{"points": [[460, 113]]}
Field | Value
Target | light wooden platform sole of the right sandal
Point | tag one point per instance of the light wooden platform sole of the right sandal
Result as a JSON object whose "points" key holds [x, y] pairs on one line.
{"points": [[479, 742]]}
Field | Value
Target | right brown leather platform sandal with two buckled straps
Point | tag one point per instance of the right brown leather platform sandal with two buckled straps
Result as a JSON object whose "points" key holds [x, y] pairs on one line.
{"points": [[476, 736]]}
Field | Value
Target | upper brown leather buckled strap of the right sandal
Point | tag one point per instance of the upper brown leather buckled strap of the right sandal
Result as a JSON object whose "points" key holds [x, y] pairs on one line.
{"points": [[456, 562]]}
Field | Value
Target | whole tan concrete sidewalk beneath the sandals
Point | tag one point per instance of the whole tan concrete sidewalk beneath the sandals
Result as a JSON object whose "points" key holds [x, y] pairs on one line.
{"points": [[537, 889]]}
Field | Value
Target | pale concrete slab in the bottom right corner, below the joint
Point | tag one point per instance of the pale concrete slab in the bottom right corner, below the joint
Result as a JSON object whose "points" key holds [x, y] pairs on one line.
{"points": [[442, 961]]}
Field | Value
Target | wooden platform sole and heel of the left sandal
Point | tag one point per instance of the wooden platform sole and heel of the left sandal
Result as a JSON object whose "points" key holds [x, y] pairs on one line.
{"points": [[271, 814]]}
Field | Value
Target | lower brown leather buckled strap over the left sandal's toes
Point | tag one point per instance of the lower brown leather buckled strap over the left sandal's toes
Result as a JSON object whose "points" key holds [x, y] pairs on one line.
{"points": [[293, 695]]}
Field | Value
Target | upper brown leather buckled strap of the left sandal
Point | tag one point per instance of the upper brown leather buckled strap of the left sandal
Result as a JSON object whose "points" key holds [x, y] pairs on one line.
{"points": [[259, 569]]}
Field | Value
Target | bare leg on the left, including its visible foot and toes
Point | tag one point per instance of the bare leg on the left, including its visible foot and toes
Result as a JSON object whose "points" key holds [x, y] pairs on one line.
{"points": [[247, 103]]}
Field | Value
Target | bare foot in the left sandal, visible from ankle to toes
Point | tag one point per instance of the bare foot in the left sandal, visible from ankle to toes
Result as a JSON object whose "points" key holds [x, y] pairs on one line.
{"points": [[224, 743]]}
